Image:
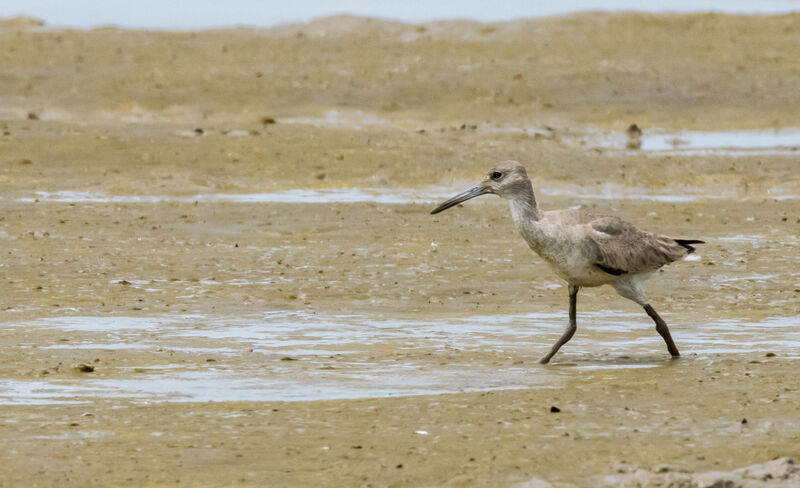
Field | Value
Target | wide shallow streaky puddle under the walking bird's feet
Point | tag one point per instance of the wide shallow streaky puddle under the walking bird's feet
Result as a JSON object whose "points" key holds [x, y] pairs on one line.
{"points": [[299, 356]]}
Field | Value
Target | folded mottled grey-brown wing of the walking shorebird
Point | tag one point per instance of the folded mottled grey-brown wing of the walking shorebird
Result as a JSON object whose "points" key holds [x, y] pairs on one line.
{"points": [[622, 248]]}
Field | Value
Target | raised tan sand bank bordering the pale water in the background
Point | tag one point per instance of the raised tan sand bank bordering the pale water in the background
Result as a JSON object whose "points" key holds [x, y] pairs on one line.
{"points": [[706, 71]]}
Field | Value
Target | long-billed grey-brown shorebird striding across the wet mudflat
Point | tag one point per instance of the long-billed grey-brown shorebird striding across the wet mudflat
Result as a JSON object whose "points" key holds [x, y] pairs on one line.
{"points": [[582, 248]]}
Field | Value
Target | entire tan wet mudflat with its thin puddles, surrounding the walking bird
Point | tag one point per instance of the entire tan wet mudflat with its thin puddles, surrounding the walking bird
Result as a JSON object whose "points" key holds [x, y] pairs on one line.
{"points": [[231, 230]]}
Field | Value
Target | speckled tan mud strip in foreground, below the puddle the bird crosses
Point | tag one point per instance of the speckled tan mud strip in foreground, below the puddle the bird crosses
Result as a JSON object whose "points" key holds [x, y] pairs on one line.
{"points": [[689, 416]]}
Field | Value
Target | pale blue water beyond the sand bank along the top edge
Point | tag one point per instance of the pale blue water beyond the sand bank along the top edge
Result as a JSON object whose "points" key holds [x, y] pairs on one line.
{"points": [[205, 14]]}
